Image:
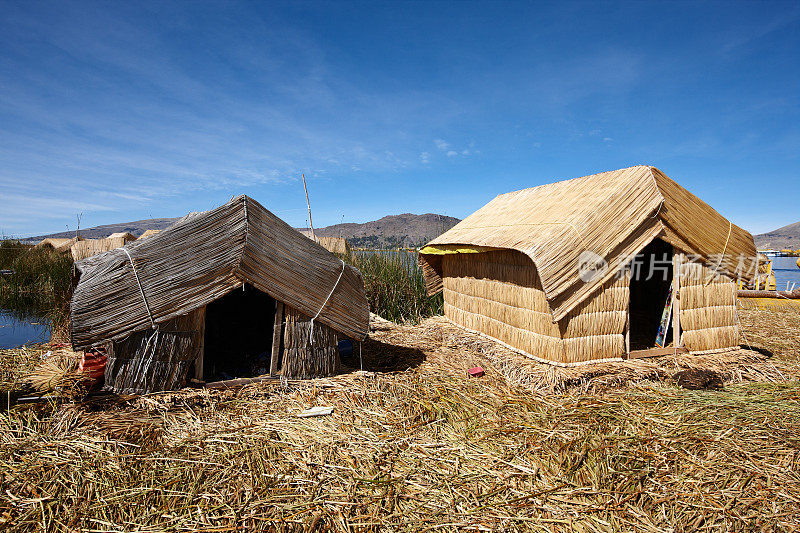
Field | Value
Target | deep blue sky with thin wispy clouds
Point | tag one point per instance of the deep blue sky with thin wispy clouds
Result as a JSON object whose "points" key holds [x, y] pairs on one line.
{"points": [[130, 110]]}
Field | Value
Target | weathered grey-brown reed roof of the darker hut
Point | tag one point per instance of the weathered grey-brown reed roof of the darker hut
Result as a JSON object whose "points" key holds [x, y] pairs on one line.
{"points": [[203, 257]]}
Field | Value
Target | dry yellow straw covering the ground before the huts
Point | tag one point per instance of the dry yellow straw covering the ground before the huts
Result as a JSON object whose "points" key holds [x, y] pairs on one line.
{"points": [[413, 444]]}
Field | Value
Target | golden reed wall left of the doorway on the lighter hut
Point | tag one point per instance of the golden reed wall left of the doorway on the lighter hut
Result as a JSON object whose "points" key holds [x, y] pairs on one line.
{"points": [[499, 293]]}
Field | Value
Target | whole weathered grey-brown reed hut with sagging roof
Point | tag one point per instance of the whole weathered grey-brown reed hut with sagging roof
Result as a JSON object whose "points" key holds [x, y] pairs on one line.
{"points": [[229, 293]]}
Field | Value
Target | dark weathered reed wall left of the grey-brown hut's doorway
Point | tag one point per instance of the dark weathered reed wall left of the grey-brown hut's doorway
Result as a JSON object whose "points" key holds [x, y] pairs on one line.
{"points": [[143, 363]]}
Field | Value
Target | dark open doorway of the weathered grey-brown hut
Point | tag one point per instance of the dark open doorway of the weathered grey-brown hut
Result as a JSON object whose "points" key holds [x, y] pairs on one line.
{"points": [[238, 335]]}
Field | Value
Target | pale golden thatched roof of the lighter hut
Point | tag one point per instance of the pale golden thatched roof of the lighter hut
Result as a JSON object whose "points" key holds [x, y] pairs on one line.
{"points": [[613, 214]]}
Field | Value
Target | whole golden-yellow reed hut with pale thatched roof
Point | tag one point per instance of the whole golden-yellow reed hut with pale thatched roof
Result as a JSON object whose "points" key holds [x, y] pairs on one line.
{"points": [[581, 270]]}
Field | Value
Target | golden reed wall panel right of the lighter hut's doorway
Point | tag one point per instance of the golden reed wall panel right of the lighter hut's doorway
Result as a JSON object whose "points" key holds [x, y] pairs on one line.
{"points": [[708, 309]]}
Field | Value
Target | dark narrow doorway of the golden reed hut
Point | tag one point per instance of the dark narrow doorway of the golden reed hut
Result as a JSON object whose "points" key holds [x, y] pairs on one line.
{"points": [[651, 278]]}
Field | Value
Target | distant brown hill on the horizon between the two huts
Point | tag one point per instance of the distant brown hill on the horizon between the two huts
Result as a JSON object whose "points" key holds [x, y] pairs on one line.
{"points": [[406, 230]]}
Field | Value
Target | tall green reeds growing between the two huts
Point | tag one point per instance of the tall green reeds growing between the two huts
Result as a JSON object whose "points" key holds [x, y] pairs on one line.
{"points": [[395, 286]]}
